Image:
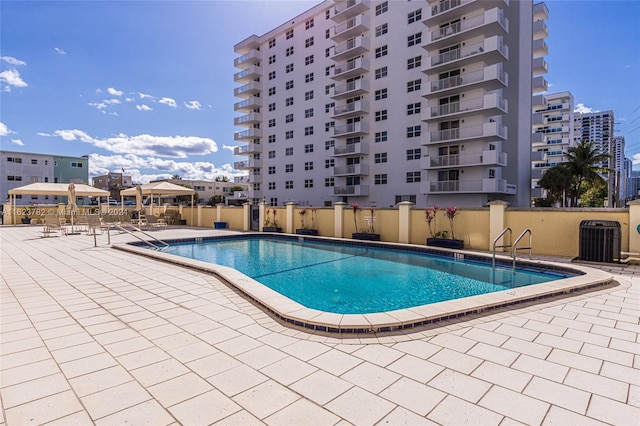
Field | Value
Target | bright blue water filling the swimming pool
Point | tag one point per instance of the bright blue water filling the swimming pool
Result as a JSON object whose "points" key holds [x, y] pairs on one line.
{"points": [[355, 279]]}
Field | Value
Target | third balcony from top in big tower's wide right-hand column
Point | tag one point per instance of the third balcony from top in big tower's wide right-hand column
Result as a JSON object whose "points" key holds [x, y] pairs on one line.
{"points": [[492, 49]]}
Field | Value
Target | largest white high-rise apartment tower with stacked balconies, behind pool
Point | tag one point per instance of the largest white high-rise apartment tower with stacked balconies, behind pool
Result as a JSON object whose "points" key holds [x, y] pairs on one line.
{"points": [[377, 102]]}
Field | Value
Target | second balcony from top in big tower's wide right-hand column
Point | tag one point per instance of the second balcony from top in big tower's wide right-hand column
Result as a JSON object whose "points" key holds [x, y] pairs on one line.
{"points": [[490, 21]]}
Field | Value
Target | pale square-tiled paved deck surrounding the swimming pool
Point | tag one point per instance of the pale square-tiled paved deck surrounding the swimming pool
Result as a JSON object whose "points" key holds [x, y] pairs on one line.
{"points": [[93, 335]]}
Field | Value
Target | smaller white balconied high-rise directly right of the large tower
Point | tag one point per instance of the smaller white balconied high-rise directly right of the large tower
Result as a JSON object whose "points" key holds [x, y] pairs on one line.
{"points": [[553, 134]]}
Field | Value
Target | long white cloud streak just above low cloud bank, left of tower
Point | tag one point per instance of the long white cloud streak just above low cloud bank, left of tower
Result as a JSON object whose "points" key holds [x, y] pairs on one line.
{"points": [[161, 146]]}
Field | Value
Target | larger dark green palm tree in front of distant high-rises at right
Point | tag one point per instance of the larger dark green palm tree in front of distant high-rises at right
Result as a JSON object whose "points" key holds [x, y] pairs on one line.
{"points": [[582, 161]]}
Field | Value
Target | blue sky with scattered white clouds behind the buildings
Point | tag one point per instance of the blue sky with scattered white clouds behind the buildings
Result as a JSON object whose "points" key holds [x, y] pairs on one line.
{"points": [[147, 86]]}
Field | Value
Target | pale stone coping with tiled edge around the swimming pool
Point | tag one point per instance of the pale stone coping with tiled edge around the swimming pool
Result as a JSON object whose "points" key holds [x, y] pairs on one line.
{"points": [[294, 313]]}
